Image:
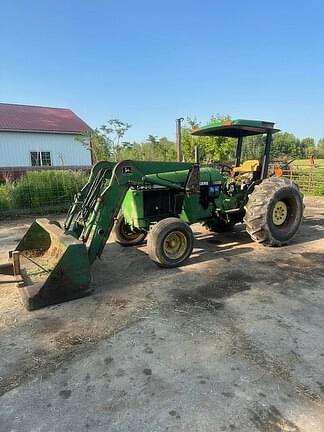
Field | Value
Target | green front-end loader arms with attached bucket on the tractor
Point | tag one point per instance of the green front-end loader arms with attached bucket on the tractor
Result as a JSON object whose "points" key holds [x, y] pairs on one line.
{"points": [[52, 263]]}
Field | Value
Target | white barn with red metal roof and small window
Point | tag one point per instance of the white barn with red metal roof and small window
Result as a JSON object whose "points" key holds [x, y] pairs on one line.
{"points": [[33, 136]]}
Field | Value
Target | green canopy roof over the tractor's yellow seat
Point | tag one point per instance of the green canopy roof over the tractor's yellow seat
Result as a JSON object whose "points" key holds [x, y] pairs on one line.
{"points": [[235, 128]]}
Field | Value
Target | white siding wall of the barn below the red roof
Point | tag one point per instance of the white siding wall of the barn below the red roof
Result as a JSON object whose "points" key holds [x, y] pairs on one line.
{"points": [[15, 148]]}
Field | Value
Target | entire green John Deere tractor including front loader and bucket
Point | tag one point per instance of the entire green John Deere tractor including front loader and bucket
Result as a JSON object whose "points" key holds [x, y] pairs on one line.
{"points": [[159, 200]]}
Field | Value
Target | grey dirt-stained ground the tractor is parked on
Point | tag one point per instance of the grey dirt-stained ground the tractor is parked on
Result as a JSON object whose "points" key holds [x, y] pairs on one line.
{"points": [[231, 341]]}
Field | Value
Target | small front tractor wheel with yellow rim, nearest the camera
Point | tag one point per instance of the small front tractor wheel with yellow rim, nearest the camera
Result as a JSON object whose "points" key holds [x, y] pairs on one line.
{"points": [[170, 242]]}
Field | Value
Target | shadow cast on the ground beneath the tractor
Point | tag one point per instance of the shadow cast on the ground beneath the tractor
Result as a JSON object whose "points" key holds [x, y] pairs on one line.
{"points": [[127, 265]]}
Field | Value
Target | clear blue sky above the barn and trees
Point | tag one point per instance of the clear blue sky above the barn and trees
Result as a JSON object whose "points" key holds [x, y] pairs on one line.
{"points": [[148, 62]]}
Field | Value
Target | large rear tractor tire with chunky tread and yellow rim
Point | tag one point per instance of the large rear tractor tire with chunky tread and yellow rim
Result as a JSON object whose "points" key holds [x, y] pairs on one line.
{"points": [[274, 211]]}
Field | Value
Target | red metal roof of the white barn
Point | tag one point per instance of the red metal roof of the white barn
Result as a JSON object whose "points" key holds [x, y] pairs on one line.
{"points": [[35, 118]]}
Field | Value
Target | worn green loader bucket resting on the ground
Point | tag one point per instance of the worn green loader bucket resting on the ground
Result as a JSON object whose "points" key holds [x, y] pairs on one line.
{"points": [[53, 265]]}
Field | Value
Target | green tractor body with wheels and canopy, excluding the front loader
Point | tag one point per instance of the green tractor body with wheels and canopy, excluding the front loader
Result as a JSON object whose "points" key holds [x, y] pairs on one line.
{"points": [[219, 197]]}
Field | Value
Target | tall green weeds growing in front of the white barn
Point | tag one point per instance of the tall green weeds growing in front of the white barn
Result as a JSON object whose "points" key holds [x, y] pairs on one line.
{"points": [[41, 189]]}
